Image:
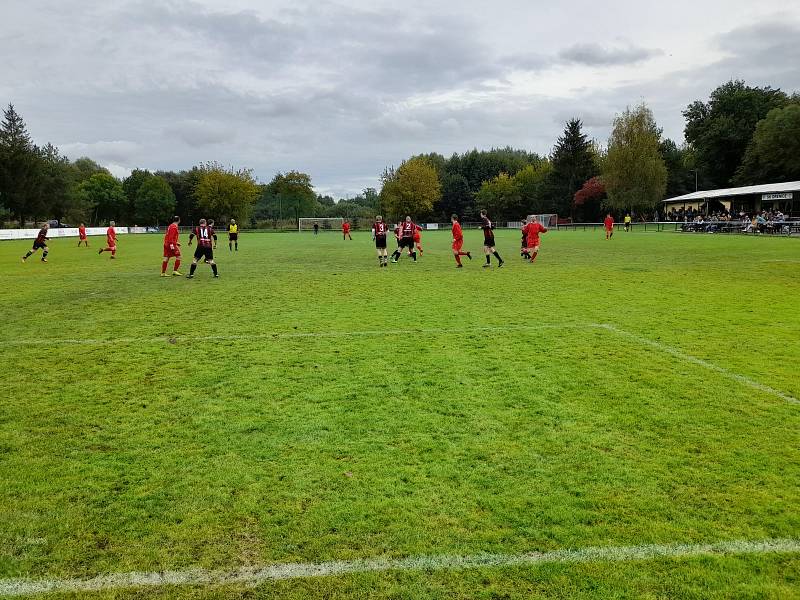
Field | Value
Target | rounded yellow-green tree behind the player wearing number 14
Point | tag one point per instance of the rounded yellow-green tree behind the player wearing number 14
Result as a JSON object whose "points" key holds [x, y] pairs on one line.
{"points": [[226, 193]]}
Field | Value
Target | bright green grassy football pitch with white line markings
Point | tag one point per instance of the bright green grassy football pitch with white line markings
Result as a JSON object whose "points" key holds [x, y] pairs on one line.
{"points": [[629, 401]]}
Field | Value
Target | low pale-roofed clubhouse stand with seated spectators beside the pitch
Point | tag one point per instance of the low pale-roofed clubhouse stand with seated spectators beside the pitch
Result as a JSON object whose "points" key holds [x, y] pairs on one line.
{"points": [[748, 199]]}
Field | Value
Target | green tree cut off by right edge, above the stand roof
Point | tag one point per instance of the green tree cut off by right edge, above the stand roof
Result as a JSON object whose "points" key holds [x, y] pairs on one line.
{"points": [[773, 155]]}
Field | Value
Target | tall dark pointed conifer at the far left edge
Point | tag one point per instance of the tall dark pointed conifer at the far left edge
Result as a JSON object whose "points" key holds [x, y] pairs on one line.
{"points": [[19, 166]]}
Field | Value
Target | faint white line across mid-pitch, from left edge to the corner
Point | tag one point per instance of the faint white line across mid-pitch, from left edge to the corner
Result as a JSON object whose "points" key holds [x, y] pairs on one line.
{"points": [[291, 334]]}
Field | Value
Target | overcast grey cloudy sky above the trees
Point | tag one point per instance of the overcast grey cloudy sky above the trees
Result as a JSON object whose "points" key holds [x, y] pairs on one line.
{"points": [[340, 90]]}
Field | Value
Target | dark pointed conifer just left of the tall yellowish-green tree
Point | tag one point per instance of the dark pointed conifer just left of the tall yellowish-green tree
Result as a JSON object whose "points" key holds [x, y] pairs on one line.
{"points": [[574, 161]]}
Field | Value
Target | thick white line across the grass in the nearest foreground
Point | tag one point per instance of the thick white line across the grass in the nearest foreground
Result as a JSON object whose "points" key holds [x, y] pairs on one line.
{"points": [[251, 576]]}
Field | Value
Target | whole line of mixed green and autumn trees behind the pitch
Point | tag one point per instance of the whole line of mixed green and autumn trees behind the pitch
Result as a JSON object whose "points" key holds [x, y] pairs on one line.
{"points": [[741, 135]]}
